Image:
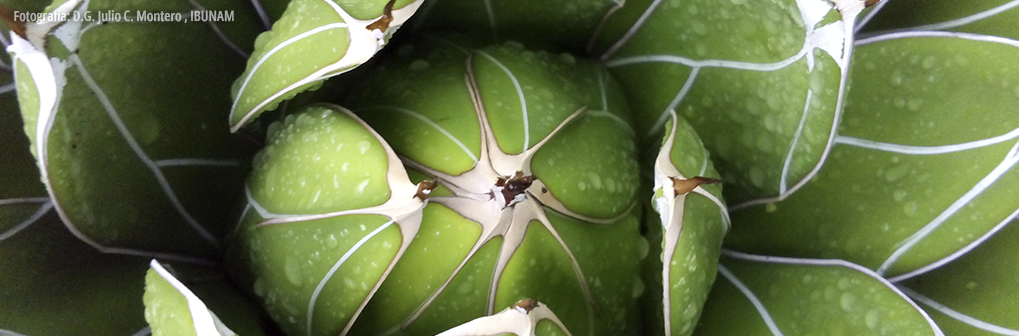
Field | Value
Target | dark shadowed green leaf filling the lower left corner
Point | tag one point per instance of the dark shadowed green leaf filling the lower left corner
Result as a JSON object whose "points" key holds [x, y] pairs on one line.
{"points": [[50, 283]]}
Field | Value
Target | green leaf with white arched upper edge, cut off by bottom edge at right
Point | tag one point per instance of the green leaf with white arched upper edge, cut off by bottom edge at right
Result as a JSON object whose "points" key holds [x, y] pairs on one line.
{"points": [[769, 296]]}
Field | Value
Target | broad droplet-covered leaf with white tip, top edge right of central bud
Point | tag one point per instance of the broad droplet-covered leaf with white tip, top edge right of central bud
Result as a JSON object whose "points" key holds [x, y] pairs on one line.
{"points": [[762, 82]]}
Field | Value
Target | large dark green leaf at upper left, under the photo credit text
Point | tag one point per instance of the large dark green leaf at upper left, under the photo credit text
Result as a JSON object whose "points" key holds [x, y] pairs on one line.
{"points": [[128, 134]]}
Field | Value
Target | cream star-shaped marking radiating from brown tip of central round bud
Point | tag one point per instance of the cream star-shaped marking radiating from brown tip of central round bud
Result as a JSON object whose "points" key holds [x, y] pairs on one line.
{"points": [[476, 199]]}
